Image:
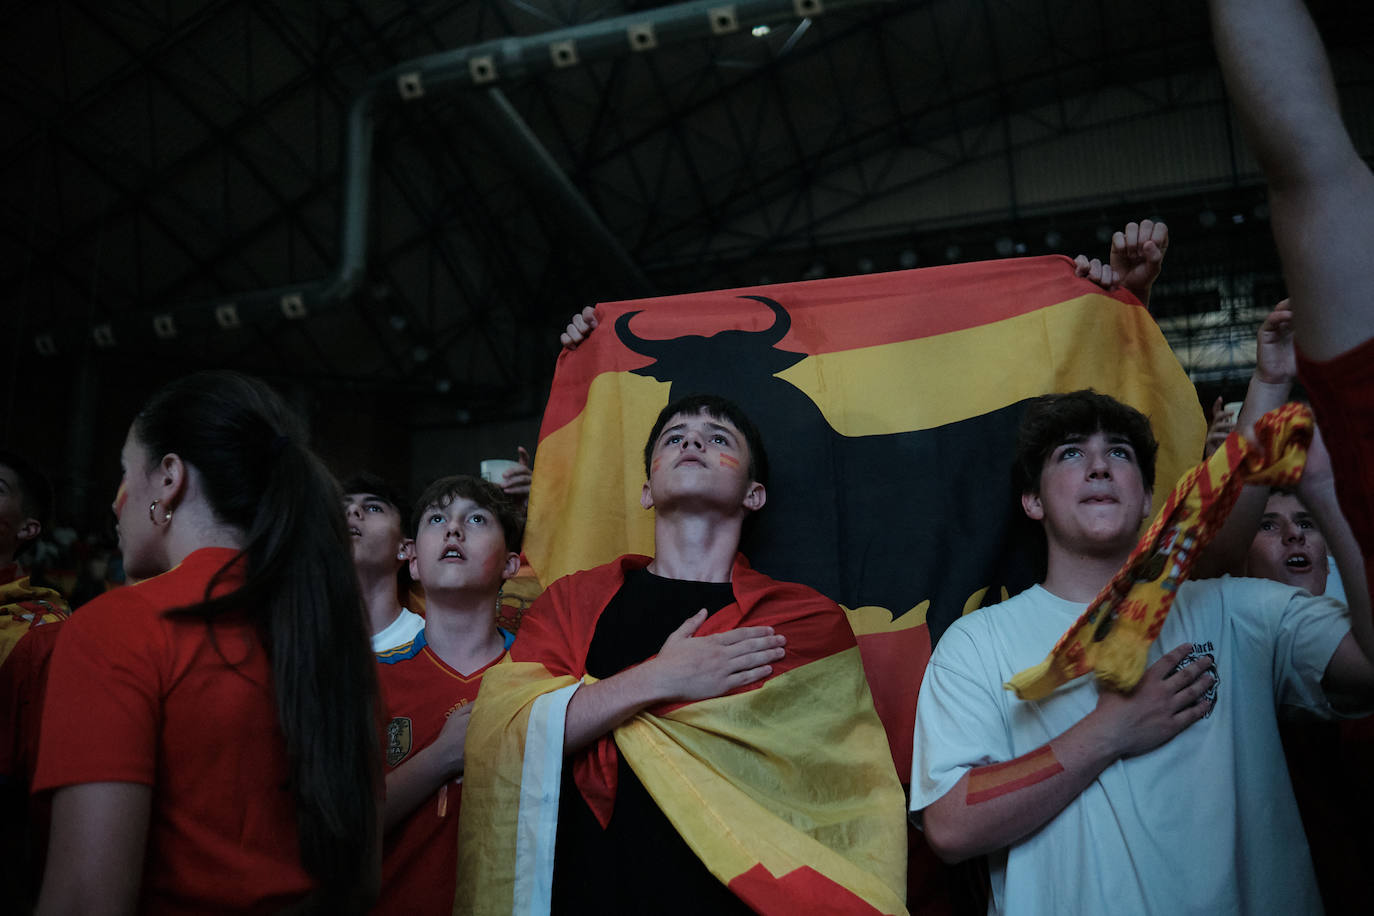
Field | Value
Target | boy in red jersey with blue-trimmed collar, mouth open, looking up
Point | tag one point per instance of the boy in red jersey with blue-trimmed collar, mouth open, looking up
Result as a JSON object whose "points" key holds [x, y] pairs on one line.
{"points": [[466, 545]]}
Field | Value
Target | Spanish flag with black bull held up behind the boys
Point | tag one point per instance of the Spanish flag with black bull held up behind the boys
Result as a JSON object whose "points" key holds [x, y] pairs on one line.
{"points": [[888, 404]]}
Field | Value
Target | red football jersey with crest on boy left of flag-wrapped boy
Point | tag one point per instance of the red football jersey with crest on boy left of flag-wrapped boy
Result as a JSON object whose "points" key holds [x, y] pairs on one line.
{"points": [[420, 856]]}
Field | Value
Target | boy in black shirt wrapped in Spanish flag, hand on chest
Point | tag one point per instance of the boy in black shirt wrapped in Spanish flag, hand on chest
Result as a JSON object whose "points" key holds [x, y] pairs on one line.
{"points": [[679, 733]]}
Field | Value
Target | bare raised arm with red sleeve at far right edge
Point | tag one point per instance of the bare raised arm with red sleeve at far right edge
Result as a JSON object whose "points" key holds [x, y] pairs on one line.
{"points": [[1322, 204]]}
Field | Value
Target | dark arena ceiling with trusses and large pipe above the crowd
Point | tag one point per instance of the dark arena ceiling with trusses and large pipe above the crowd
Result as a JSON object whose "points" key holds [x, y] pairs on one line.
{"points": [[396, 204]]}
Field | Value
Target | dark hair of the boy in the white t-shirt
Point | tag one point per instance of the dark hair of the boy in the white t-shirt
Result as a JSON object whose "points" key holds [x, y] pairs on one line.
{"points": [[1053, 420]]}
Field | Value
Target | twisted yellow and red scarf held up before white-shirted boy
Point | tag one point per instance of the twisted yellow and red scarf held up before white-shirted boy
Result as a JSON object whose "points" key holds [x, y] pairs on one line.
{"points": [[1116, 631]]}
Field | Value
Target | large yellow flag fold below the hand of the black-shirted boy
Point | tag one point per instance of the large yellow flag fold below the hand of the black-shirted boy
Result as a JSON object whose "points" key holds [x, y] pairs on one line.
{"points": [[729, 775]]}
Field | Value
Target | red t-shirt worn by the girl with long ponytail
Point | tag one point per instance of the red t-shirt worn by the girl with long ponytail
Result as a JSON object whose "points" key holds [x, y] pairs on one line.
{"points": [[139, 697]]}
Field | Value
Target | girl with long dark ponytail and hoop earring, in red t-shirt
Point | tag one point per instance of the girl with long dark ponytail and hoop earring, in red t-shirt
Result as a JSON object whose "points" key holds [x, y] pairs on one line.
{"points": [[211, 733]]}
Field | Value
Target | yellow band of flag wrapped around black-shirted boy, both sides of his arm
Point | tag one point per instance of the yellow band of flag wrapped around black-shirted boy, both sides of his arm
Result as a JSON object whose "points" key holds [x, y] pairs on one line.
{"points": [[728, 772]]}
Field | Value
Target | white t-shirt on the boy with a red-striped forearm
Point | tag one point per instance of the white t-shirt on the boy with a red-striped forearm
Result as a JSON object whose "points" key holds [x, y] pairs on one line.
{"points": [[1202, 825]]}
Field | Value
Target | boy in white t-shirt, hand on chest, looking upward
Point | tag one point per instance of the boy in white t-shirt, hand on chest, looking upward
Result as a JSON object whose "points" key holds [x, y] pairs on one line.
{"points": [[1173, 797]]}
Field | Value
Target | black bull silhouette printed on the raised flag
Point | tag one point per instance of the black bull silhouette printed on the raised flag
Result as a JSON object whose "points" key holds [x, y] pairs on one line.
{"points": [[923, 516]]}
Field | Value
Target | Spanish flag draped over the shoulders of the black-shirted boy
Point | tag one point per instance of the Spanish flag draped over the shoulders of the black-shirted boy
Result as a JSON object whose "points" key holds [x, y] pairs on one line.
{"points": [[784, 789]]}
